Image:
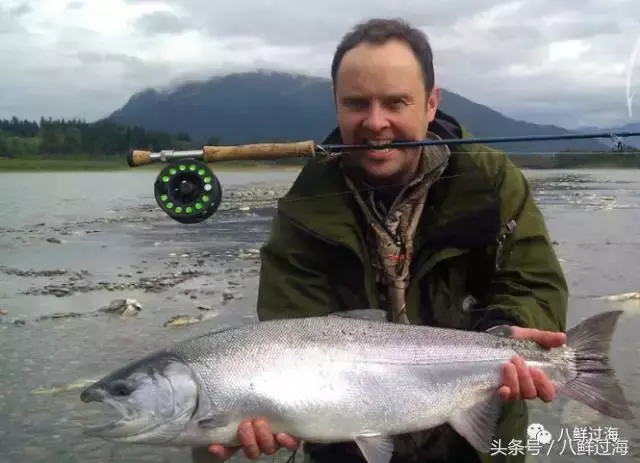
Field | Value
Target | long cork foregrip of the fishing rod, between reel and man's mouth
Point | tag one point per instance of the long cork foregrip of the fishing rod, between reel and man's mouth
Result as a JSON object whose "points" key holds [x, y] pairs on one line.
{"points": [[259, 151]]}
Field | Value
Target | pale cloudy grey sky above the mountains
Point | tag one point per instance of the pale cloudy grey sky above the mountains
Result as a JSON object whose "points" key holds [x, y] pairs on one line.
{"points": [[563, 62]]}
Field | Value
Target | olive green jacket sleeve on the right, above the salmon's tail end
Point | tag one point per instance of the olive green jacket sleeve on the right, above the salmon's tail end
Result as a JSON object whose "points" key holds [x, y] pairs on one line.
{"points": [[528, 287]]}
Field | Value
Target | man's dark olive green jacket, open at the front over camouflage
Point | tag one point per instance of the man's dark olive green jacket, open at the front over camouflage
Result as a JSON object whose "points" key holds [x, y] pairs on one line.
{"points": [[316, 261]]}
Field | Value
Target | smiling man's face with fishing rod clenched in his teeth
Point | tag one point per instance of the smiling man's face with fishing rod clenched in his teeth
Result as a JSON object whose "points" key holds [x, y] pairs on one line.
{"points": [[380, 96]]}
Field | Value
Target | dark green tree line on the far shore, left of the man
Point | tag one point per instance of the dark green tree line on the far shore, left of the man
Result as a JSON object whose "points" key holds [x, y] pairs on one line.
{"points": [[74, 137]]}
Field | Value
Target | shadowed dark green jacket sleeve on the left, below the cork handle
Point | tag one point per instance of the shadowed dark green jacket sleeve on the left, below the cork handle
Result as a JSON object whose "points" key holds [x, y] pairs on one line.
{"points": [[294, 279]]}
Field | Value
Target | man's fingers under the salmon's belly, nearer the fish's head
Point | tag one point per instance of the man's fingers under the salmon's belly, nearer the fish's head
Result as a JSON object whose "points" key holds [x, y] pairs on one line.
{"points": [[256, 438]]}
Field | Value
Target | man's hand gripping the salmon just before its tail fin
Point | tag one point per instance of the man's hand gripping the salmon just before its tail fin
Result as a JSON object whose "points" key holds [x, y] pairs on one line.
{"points": [[521, 382]]}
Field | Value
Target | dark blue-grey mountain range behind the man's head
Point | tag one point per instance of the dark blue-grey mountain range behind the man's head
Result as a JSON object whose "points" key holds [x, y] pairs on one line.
{"points": [[259, 106]]}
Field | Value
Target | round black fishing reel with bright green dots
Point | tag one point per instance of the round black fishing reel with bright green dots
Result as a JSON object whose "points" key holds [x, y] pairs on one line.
{"points": [[188, 191]]}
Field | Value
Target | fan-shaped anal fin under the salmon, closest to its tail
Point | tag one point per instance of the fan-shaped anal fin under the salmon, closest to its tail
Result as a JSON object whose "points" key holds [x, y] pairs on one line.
{"points": [[479, 423]]}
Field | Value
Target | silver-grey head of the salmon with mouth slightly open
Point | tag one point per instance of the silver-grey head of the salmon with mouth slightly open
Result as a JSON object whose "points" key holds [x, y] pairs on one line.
{"points": [[155, 398]]}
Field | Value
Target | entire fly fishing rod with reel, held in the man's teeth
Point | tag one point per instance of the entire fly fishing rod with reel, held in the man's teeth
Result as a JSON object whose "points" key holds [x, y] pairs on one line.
{"points": [[189, 192]]}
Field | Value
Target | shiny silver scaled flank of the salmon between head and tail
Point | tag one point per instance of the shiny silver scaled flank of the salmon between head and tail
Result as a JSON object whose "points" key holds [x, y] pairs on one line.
{"points": [[352, 375]]}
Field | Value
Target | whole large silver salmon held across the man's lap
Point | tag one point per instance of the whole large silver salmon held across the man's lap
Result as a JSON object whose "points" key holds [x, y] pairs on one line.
{"points": [[343, 378]]}
